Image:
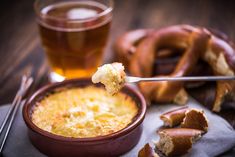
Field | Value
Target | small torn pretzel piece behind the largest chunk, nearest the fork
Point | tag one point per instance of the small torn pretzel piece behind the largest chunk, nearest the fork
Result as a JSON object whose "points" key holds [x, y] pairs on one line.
{"points": [[174, 117]]}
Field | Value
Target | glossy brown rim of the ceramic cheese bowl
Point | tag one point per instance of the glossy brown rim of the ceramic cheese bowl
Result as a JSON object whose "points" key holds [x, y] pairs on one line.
{"points": [[45, 89]]}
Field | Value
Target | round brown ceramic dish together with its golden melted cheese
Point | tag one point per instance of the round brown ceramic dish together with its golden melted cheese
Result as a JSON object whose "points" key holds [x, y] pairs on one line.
{"points": [[77, 118]]}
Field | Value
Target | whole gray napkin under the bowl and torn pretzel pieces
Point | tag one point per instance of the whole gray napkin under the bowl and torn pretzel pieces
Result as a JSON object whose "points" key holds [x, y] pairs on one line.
{"points": [[220, 137]]}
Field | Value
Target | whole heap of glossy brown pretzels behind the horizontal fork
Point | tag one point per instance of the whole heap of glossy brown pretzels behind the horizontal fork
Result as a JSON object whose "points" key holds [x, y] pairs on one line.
{"points": [[139, 49]]}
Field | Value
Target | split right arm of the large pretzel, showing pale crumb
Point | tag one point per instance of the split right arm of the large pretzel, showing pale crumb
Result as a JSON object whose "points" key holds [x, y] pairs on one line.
{"points": [[221, 57]]}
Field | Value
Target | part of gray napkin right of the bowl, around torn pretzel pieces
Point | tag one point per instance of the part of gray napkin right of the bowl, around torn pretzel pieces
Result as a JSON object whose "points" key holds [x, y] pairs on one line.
{"points": [[219, 138]]}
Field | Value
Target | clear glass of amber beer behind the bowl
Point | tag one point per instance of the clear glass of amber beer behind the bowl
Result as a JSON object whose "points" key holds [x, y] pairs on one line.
{"points": [[73, 34]]}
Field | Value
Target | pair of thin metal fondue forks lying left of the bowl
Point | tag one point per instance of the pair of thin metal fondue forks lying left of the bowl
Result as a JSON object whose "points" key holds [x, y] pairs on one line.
{"points": [[11, 114]]}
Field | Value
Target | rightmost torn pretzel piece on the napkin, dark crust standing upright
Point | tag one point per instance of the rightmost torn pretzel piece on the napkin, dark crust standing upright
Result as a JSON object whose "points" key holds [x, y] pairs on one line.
{"points": [[195, 119]]}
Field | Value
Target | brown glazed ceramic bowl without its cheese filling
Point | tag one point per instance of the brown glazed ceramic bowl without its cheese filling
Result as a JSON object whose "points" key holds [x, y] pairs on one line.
{"points": [[110, 145]]}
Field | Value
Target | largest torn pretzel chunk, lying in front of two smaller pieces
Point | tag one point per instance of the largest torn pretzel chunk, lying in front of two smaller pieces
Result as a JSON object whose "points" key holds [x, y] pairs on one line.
{"points": [[177, 141]]}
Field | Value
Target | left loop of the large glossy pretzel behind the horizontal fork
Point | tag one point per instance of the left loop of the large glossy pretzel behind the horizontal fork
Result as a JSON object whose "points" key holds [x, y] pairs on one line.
{"points": [[142, 61]]}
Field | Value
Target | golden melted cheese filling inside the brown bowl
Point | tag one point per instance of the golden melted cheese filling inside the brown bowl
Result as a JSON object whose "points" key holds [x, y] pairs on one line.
{"points": [[84, 112]]}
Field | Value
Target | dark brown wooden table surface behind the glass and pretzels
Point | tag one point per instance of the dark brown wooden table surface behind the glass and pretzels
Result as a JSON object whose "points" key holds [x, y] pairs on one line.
{"points": [[20, 49]]}
